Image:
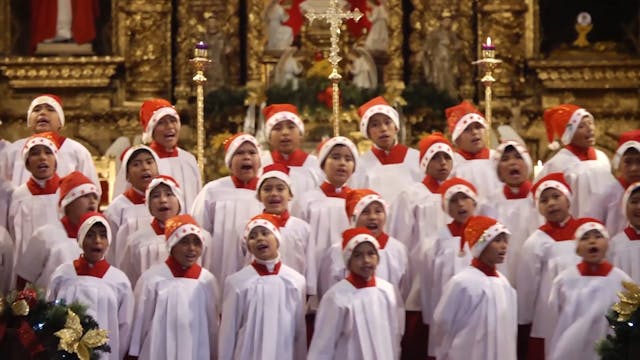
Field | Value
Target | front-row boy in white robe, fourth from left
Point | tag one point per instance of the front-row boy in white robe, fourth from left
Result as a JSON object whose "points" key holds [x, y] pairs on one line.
{"points": [[360, 317]]}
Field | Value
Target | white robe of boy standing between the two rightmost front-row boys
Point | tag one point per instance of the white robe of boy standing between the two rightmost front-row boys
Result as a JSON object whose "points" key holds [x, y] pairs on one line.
{"points": [[541, 260]]}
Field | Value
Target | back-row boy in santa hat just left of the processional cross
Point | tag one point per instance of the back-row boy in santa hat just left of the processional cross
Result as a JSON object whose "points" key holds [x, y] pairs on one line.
{"points": [[284, 130]]}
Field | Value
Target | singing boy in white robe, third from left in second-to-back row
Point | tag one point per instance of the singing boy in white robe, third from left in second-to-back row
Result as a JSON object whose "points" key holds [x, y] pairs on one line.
{"points": [[224, 205]]}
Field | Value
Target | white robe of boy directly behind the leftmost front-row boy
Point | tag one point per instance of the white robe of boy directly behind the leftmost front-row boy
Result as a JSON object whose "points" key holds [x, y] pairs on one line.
{"points": [[48, 248]]}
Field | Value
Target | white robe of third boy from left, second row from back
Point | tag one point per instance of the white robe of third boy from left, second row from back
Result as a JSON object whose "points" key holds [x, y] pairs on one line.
{"points": [[224, 210]]}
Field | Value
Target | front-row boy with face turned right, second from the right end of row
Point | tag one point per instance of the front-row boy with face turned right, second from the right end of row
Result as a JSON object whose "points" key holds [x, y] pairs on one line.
{"points": [[476, 317]]}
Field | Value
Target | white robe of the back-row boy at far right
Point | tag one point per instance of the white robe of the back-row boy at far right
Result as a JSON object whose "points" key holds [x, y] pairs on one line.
{"points": [[588, 179]]}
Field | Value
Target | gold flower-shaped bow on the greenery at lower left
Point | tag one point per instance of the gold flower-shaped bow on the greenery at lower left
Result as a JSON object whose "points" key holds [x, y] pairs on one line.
{"points": [[72, 340]]}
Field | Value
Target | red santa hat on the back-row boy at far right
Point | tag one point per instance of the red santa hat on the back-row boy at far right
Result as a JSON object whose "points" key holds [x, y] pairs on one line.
{"points": [[562, 121]]}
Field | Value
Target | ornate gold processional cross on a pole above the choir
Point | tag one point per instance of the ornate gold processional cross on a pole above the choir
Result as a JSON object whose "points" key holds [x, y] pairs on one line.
{"points": [[334, 16]]}
